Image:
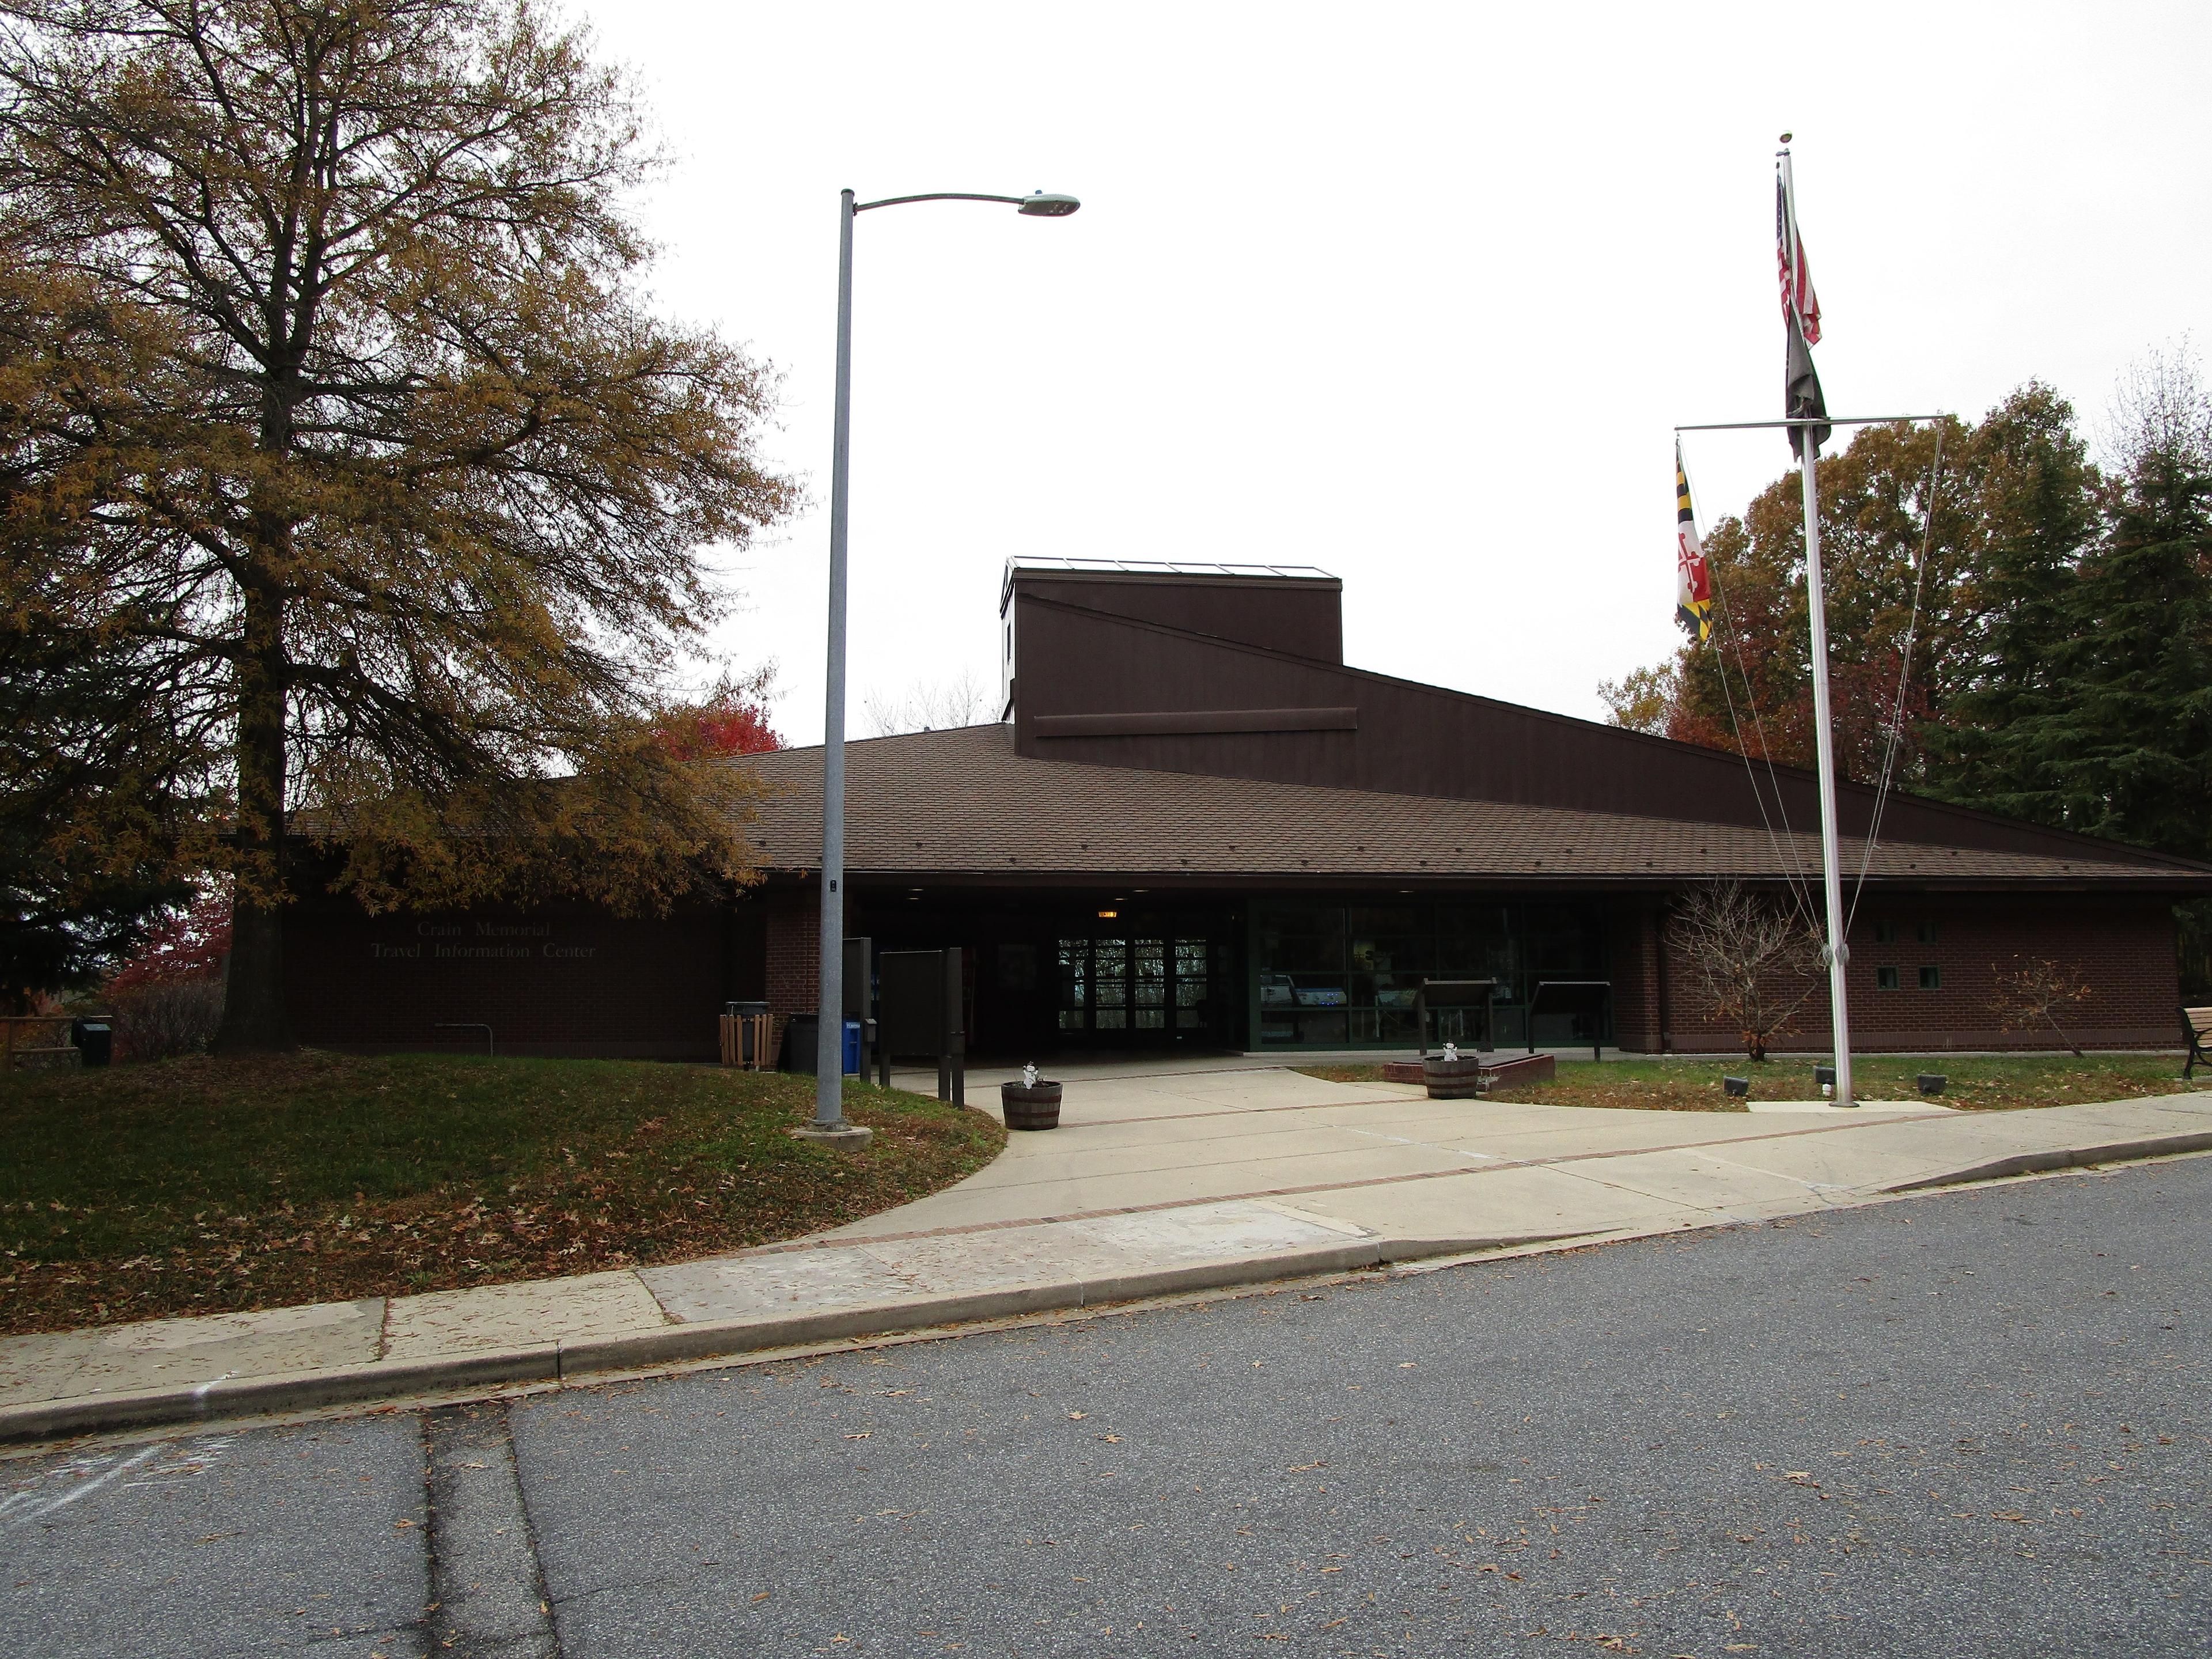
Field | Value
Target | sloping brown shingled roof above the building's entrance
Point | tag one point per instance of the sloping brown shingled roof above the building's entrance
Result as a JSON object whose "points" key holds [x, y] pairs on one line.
{"points": [[966, 806]]}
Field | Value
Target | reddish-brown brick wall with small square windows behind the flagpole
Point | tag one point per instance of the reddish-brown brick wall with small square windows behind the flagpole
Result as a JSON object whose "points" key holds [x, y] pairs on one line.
{"points": [[2125, 948]]}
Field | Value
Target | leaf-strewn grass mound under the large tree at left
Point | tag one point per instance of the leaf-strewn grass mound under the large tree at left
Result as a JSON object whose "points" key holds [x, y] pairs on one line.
{"points": [[205, 1187]]}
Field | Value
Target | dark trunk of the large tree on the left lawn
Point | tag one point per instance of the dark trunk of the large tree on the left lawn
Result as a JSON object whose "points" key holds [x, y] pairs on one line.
{"points": [[253, 990]]}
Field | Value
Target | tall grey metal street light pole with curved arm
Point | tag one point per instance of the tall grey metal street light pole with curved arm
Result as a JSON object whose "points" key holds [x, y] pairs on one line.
{"points": [[831, 1005]]}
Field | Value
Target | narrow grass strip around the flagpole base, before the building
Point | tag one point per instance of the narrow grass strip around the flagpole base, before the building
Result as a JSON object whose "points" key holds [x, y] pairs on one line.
{"points": [[1979, 1083]]}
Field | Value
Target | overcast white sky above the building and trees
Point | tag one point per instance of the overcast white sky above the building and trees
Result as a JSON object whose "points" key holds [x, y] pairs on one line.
{"points": [[1412, 293]]}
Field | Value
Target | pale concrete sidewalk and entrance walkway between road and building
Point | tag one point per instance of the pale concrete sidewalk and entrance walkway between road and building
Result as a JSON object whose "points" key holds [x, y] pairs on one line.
{"points": [[1158, 1182]]}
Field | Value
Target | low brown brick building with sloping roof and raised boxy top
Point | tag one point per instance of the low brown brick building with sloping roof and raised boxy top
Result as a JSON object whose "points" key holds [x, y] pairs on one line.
{"points": [[1198, 826]]}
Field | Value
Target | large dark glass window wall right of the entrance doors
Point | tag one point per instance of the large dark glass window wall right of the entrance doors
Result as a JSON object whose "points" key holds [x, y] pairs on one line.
{"points": [[1348, 974]]}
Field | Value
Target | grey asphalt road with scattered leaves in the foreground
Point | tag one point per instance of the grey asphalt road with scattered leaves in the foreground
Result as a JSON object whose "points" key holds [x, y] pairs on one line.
{"points": [[1963, 1423]]}
